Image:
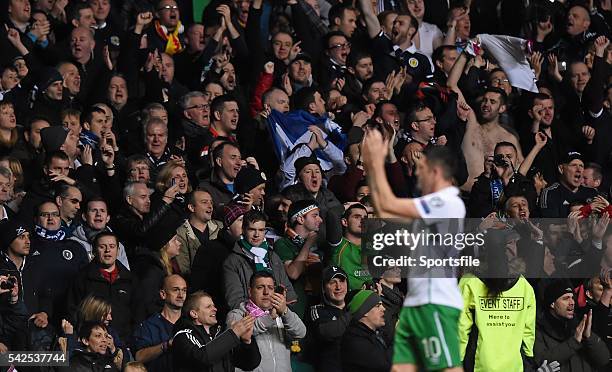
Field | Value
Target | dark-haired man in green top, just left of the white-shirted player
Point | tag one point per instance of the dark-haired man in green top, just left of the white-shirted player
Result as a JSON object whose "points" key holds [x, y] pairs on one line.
{"points": [[347, 253]]}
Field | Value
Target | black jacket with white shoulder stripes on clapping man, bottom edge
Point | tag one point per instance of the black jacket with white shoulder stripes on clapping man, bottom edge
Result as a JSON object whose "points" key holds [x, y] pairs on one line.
{"points": [[193, 349]]}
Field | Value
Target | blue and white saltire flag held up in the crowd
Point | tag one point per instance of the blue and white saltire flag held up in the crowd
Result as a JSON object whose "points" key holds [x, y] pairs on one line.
{"points": [[290, 129]]}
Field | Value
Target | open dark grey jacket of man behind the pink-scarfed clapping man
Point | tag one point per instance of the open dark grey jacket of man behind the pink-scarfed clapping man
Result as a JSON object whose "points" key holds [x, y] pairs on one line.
{"points": [[237, 271]]}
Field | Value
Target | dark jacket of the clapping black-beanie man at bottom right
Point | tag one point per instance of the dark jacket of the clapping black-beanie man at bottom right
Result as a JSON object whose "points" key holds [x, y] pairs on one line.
{"points": [[555, 341]]}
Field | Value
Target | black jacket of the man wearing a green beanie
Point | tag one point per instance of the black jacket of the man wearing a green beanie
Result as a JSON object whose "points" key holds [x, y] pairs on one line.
{"points": [[364, 350]]}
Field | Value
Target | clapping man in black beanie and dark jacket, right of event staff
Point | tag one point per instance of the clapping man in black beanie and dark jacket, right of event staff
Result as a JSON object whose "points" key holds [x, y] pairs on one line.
{"points": [[573, 346]]}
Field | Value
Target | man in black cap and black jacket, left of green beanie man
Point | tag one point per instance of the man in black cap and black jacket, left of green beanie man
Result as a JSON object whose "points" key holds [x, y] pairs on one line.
{"points": [[329, 320]]}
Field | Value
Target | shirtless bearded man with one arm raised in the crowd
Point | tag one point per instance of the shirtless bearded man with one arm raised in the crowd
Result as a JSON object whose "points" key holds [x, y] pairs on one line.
{"points": [[482, 133]]}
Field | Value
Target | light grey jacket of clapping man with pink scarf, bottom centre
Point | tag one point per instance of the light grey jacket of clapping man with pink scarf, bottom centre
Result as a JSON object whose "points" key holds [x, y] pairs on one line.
{"points": [[273, 340]]}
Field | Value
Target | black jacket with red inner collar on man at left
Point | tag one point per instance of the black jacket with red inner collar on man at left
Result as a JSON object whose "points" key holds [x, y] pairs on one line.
{"points": [[120, 294]]}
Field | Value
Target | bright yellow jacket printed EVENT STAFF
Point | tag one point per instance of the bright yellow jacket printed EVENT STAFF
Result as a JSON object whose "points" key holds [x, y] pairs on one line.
{"points": [[509, 316]]}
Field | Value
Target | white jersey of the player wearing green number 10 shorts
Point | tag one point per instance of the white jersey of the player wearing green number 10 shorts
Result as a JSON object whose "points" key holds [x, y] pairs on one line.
{"points": [[441, 212]]}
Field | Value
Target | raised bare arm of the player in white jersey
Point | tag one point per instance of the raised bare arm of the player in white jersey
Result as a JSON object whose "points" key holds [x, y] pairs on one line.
{"points": [[386, 204]]}
